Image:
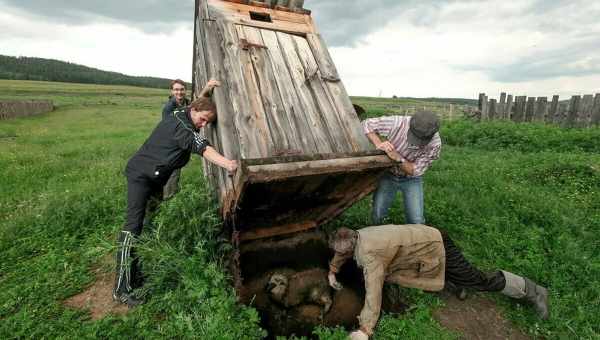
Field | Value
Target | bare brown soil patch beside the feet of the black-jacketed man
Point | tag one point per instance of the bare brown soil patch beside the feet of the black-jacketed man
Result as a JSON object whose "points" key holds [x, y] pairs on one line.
{"points": [[97, 298]]}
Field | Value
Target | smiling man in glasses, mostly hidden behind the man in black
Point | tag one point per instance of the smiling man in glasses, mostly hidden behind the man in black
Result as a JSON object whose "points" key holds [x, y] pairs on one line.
{"points": [[179, 101]]}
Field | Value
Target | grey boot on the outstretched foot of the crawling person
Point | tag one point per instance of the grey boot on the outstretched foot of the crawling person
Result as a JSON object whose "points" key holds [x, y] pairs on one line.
{"points": [[523, 288]]}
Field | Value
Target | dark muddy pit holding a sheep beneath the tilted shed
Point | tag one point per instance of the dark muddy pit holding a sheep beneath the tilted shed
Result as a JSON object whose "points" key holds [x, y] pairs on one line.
{"points": [[303, 260]]}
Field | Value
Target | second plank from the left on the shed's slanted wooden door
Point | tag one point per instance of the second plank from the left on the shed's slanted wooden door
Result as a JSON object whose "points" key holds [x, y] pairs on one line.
{"points": [[300, 131]]}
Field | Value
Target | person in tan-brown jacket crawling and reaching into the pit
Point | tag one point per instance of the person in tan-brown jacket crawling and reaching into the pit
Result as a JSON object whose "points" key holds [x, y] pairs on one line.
{"points": [[417, 256]]}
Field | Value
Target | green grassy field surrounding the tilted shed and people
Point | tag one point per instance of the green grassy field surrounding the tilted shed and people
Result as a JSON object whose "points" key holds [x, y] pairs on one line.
{"points": [[525, 198]]}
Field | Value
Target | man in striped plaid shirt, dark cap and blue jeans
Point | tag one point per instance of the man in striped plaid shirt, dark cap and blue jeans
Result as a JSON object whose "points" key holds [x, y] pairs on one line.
{"points": [[416, 139]]}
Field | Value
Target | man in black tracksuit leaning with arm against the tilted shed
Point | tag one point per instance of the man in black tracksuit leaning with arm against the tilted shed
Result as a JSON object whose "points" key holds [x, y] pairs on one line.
{"points": [[168, 148]]}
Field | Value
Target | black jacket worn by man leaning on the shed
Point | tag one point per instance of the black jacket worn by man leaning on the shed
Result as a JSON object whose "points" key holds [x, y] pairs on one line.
{"points": [[168, 148]]}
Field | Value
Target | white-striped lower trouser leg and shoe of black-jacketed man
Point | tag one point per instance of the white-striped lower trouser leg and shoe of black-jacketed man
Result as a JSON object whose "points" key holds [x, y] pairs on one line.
{"points": [[122, 290]]}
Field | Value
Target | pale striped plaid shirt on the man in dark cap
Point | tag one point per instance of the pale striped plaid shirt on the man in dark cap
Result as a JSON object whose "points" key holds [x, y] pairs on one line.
{"points": [[395, 129]]}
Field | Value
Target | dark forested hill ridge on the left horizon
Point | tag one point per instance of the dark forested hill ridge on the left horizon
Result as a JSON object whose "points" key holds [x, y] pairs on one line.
{"points": [[26, 68]]}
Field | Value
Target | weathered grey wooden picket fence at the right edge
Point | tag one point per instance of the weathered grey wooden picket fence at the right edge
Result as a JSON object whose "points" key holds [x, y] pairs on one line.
{"points": [[579, 111]]}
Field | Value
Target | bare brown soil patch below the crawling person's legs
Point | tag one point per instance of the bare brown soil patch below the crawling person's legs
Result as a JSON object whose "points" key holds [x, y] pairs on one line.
{"points": [[476, 318]]}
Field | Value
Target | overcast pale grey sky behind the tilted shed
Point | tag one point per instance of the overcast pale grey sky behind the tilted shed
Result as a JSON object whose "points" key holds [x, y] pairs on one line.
{"points": [[419, 48]]}
